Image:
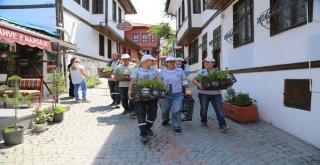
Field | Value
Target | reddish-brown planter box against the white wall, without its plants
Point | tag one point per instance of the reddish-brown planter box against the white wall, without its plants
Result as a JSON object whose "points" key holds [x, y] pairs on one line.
{"points": [[240, 114]]}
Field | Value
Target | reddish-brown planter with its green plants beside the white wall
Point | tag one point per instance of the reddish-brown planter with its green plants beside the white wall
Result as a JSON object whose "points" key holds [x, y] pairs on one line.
{"points": [[240, 107]]}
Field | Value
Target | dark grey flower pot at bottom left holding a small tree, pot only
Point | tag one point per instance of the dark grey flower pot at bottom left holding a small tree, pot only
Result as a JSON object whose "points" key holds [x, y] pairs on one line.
{"points": [[13, 138]]}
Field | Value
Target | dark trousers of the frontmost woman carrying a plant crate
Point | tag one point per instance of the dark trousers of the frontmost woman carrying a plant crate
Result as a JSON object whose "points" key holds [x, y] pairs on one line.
{"points": [[146, 114]]}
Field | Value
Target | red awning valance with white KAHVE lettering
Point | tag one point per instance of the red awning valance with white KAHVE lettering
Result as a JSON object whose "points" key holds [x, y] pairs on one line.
{"points": [[24, 39]]}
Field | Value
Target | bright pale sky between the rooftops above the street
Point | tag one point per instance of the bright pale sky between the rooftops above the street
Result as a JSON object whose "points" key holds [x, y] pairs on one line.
{"points": [[149, 12]]}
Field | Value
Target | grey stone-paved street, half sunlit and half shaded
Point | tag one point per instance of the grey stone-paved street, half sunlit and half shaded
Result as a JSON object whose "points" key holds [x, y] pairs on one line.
{"points": [[94, 133]]}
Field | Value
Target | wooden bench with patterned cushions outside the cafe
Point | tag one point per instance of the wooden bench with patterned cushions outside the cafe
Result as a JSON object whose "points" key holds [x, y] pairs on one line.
{"points": [[28, 86]]}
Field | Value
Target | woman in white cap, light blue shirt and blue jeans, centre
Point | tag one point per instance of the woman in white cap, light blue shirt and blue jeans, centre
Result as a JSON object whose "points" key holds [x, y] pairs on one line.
{"points": [[177, 78]]}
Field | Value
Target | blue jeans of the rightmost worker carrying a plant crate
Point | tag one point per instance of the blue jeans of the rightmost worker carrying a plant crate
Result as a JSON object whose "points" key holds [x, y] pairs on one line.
{"points": [[216, 101]]}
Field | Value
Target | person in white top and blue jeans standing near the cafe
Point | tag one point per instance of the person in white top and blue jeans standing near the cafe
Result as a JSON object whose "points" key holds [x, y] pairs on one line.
{"points": [[79, 77]]}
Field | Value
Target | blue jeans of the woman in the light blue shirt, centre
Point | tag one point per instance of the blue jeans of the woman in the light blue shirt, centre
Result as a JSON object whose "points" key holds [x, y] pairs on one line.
{"points": [[173, 103]]}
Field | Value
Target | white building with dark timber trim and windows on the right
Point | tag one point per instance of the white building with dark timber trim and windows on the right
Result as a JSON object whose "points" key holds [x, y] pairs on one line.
{"points": [[271, 47]]}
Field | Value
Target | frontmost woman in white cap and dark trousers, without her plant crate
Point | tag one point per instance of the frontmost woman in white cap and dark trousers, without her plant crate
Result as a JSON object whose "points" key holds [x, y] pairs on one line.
{"points": [[146, 110]]}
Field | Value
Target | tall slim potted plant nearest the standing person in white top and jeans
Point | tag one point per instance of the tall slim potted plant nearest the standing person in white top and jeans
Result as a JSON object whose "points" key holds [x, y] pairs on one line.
{"points": [[58, 86]]}
